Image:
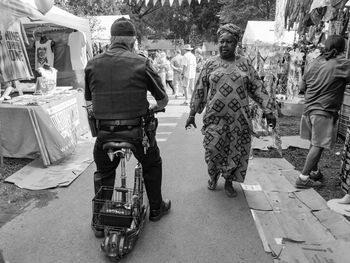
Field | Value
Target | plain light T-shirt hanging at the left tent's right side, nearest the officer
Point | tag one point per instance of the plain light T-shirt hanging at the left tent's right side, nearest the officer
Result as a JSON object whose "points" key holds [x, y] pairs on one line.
{"points": [[77, 47]]}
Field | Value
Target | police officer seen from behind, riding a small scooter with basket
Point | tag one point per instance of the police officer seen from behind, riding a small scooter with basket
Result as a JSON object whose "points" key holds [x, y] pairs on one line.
{"points": [[117, 82]]}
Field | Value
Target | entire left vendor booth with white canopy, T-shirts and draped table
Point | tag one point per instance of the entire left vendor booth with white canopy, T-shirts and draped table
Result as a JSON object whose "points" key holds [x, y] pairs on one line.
{"points": [[53, 49]]}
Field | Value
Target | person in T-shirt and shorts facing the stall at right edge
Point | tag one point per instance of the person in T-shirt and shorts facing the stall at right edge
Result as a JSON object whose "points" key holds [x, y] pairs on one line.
{"points": [[324, 84]]}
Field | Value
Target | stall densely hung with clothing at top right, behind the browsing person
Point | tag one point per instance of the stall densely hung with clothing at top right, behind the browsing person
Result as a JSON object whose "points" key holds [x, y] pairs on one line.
{"points": [[314, 21]]}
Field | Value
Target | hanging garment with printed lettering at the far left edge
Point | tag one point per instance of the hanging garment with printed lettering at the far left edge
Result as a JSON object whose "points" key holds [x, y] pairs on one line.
{"points": [[14, 62]]}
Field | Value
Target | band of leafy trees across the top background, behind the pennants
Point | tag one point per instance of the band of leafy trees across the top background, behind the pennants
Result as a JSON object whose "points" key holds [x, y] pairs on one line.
{"points": [[193, 22]]}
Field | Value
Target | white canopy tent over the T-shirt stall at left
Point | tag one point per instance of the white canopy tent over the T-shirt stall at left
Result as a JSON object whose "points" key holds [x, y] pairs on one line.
{"points": [[56, 22]]}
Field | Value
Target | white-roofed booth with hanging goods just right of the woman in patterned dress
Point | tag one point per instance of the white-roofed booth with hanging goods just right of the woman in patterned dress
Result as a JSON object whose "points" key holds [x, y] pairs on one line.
{"points": [[270, 54]]}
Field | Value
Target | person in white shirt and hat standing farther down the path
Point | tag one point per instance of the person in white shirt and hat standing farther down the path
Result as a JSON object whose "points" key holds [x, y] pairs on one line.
{"points": [[189, 73]]}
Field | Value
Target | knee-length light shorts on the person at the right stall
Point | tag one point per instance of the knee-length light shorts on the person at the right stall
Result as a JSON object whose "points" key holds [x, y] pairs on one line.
{"points": [[320, 130]]}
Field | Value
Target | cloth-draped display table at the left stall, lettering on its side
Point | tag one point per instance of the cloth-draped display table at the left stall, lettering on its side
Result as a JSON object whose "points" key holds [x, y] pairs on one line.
{"points": [[47, 125]]}
